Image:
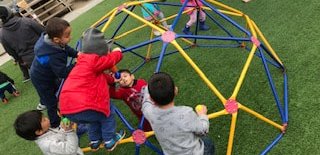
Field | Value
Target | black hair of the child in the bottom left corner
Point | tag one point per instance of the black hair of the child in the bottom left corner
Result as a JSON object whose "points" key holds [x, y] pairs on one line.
{"points": [[28, 123]]}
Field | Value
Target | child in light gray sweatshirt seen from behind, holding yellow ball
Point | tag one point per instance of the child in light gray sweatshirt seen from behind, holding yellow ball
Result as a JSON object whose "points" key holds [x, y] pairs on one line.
{"points": [[178, 129]]}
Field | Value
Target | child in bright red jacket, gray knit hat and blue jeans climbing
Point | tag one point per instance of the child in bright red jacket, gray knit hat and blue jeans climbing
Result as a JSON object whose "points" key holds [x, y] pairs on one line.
{"points": [[85, 96]]}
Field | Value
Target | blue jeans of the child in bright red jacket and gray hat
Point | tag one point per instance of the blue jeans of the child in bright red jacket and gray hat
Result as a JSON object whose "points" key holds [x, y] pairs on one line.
{"points": [[101, 127]]}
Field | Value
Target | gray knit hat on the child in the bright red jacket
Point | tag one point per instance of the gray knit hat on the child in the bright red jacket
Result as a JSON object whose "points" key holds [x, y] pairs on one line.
{"points": [[93, 41]]}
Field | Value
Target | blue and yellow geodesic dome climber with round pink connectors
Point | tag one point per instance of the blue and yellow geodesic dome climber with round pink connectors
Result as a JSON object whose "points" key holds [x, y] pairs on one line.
{"points": [[134, 35]]}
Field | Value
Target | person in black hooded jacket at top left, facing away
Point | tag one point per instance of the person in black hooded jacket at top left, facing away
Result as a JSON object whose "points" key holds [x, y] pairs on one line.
{"points": [[19, 35]]}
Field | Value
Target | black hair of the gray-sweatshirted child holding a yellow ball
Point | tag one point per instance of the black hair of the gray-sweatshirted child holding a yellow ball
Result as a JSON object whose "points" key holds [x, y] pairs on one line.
{"points": [[161, 88]]}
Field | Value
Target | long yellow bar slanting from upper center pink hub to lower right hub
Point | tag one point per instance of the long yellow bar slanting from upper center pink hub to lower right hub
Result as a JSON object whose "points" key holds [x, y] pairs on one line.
{"points": [[199, 72]]}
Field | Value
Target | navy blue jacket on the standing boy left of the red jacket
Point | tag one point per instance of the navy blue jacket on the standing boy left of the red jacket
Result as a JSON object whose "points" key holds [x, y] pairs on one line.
{"points": [[50, 61]]}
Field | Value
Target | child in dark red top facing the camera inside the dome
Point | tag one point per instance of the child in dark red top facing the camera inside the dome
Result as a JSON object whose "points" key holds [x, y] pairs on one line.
{"points": [[130, 92]]}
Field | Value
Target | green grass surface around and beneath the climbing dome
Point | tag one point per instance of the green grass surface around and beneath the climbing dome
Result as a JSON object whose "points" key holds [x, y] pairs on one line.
{"points": [[292, 30]]}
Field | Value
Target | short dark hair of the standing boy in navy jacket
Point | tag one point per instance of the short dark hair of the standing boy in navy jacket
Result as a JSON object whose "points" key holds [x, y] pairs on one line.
{"points": [[56, 26]]}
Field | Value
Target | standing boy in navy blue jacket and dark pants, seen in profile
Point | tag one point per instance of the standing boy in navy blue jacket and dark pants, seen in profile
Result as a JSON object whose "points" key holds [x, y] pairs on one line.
{"points": [[49, 64]]}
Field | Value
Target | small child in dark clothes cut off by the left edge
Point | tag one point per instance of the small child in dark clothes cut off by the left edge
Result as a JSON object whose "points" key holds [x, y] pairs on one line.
{"points": [[6, 84]]}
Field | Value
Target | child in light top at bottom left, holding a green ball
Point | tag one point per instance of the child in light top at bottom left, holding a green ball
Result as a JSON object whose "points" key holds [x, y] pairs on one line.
{"points": [[33, 125]]}
